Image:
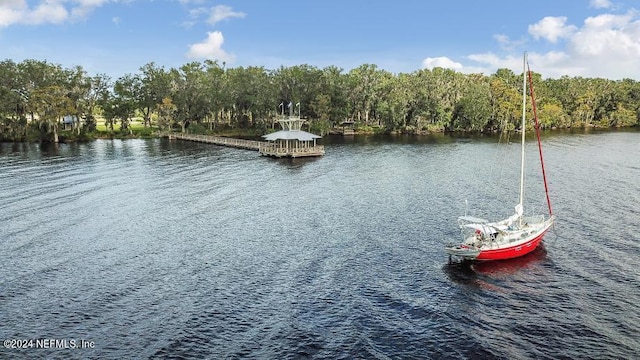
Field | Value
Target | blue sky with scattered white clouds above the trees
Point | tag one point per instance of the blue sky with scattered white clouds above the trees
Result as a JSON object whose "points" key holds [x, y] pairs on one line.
{"points": [[586, 38]]}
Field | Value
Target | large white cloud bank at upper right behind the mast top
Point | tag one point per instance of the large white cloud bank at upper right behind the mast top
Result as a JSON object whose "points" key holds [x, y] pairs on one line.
{"points": [[605, 46]]}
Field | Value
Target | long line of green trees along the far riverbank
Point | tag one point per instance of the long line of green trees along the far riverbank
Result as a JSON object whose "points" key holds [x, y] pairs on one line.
{"points": [[36, 95]]}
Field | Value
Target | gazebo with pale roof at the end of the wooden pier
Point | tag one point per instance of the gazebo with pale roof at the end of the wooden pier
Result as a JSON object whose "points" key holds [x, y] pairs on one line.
{"points": [[291, 141]]}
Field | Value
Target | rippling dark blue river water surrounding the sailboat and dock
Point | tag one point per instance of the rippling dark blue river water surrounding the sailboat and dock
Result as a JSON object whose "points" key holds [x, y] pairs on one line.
{"points": [[159, 249]]}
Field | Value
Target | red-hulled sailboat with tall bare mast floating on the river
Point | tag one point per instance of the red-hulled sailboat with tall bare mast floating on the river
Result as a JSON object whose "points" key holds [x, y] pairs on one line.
{"points": [[518, 234]]}
